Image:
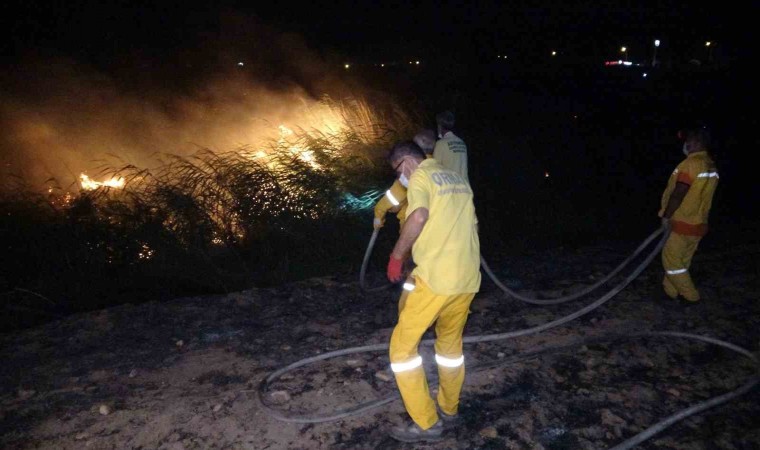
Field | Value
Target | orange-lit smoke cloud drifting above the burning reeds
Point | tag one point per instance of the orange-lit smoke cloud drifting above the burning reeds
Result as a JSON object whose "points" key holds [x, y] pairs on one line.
{"points": [[234, 87]]}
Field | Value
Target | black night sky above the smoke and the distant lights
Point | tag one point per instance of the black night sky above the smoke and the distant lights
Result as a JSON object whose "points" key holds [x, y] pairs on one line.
{"points": [[99, 32]]}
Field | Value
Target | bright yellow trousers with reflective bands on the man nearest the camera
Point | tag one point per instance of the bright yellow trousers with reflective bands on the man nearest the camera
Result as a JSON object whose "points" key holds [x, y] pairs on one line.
{"points": [[421, 309]]}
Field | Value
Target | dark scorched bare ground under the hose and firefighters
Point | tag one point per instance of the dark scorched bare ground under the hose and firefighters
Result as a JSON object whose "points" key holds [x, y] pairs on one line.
{"points": [[183, 373]]}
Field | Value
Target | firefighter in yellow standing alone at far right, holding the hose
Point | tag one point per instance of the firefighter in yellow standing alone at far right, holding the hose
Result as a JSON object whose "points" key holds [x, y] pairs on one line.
{"points": [[685, 207]]}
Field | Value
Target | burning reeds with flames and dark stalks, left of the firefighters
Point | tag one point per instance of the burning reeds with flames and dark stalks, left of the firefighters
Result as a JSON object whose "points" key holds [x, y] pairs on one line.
{"points": [[208, 222]]}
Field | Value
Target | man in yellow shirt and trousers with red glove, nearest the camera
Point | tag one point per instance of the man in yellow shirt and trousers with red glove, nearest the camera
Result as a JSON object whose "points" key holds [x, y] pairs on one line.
{"points": [[442, 236]]}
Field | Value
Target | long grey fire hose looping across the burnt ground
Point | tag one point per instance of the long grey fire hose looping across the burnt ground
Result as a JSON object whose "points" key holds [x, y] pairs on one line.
{"points": [[629, 443]]}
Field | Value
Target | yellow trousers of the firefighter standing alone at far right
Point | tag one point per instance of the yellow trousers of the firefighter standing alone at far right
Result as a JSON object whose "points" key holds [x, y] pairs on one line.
{"points": [[676, 259]]}
